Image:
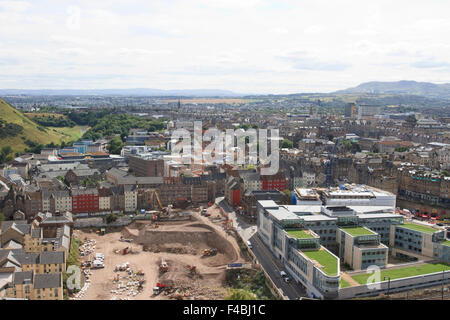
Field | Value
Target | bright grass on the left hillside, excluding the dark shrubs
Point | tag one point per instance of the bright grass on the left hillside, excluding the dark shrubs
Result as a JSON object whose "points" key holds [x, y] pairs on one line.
{"points": [[31, 131]]}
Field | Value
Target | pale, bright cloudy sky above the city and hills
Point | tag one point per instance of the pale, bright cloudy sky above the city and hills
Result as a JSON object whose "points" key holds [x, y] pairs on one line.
{"points": [[246, 46]]}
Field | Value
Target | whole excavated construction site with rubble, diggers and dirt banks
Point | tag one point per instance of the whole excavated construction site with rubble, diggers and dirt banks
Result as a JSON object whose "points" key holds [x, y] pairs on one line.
{"points": [[173, 255]]}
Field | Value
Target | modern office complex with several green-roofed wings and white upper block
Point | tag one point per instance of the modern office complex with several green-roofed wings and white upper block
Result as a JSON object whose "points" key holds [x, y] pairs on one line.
{"points": [[313, 239]]}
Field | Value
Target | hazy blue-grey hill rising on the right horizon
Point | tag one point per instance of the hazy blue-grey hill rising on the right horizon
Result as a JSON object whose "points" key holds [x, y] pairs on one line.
{"points": [[426, 89]]}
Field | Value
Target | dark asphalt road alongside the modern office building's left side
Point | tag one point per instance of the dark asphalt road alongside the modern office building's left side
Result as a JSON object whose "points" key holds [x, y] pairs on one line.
{"points": [[273, 267]]}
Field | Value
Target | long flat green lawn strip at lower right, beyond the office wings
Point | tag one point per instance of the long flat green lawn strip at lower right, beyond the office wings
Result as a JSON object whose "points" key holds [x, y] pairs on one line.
{"points": [[404, 272]]}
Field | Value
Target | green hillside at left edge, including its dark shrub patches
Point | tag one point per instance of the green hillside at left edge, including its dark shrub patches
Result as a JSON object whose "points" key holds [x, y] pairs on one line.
{"points": [[15, 138]]}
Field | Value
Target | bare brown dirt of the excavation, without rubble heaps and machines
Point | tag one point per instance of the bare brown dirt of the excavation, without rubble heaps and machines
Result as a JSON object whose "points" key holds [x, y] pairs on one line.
{"points": [[180, 243]]}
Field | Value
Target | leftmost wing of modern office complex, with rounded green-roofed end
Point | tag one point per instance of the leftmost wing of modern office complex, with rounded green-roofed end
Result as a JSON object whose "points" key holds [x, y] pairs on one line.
{"points": [[299, 249]]}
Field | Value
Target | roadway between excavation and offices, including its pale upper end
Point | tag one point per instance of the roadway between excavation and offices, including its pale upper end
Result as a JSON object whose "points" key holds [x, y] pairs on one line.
{"points": [[269, 263]]}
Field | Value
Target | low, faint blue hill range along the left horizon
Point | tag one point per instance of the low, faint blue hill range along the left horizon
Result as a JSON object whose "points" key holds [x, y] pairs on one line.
{"points": [[124, 92]]}
